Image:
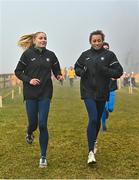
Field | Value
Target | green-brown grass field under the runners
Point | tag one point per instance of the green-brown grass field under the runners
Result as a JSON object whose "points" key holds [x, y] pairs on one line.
{"points": [[118, 148]]}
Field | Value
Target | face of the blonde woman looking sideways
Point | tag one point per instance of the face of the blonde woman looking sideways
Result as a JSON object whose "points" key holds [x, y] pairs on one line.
{"points": [[40, 40]]}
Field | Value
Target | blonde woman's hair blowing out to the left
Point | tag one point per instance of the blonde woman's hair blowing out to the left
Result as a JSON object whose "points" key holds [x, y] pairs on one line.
{"points": [[26, 41]]}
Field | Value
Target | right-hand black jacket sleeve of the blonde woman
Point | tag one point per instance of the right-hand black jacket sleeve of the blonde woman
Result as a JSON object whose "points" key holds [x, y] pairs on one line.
{"points": [[56, 66]]}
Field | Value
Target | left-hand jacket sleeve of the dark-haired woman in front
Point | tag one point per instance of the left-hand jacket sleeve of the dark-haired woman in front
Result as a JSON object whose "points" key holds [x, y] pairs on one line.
{"points": [[80, 67]]}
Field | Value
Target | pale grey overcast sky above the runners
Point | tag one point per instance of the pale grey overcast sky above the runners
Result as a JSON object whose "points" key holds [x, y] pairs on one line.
{"points": [[68, 24]]}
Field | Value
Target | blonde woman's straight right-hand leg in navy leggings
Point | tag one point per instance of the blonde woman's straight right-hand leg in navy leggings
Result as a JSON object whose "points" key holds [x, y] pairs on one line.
{"points": [[44, 106]]}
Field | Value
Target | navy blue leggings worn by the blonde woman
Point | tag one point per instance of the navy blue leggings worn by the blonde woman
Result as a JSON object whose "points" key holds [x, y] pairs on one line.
{"points": [[37, 112]]}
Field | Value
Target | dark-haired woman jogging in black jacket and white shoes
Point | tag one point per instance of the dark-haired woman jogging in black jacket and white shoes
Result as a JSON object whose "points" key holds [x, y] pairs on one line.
{"points": [[96, 66]]}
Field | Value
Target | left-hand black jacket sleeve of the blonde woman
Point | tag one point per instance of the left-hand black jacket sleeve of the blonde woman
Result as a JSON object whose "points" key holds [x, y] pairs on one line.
{"points": [[20, 69]]}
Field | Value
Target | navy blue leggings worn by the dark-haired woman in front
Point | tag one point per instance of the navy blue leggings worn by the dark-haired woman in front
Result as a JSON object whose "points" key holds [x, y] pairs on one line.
{"points": [[95, 110]]}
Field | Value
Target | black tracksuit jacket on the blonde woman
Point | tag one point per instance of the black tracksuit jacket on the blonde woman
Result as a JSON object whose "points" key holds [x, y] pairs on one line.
{"points": [[36, 64]]}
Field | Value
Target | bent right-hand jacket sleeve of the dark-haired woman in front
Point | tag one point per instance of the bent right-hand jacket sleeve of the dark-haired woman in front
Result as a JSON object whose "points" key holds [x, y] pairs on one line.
{"points": [[114, 70]]}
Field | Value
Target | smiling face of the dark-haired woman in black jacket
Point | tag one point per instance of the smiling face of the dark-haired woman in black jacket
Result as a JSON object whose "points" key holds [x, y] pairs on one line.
{"points": [[96, 41]]}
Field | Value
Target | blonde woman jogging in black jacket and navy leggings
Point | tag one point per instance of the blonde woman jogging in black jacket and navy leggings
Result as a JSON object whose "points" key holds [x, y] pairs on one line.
{"points": [[34, 69]]}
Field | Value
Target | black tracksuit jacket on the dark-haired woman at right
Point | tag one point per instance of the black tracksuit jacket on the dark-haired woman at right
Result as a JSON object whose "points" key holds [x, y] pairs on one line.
{"points": [[96, 67]]}
